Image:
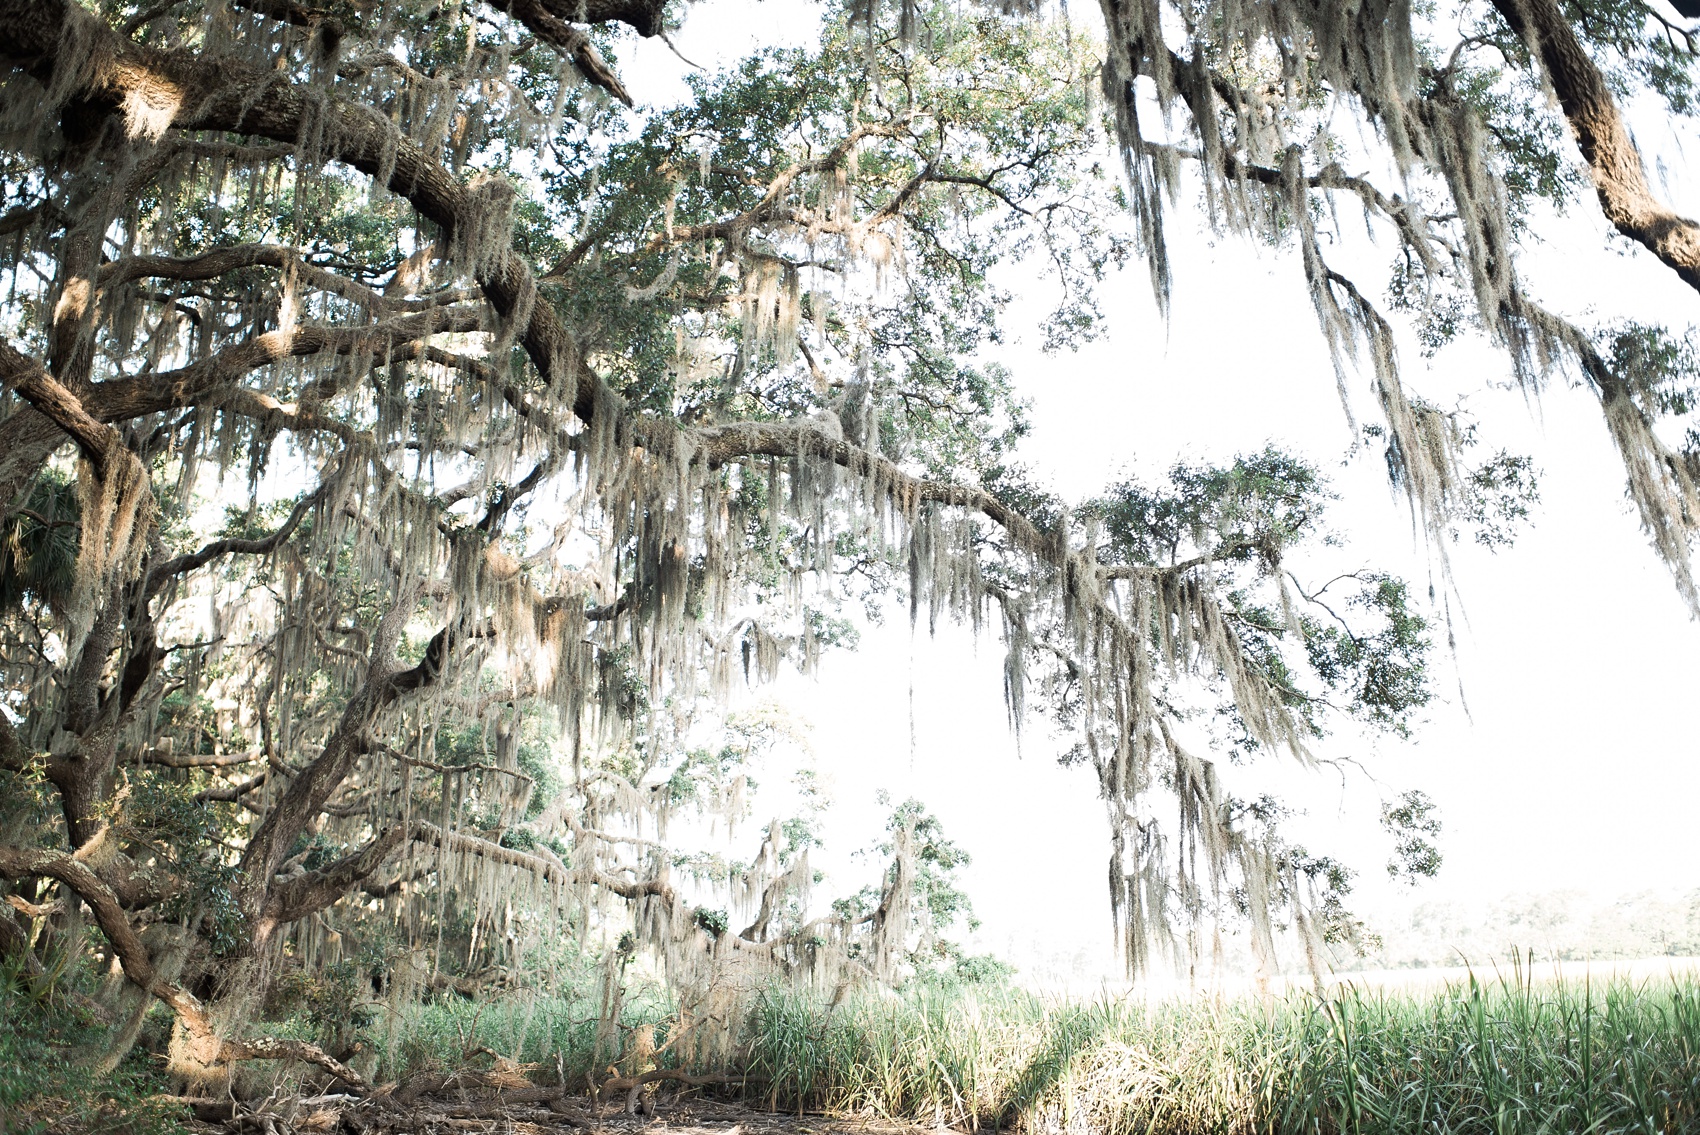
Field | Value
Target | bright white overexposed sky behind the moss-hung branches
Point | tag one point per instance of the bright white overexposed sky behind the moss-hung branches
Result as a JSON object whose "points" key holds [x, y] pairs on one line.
{"points": [[1577, 765]]}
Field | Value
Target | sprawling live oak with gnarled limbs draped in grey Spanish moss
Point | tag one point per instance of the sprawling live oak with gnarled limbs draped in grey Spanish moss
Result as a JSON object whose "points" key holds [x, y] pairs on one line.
{"points": [[409, 446]]}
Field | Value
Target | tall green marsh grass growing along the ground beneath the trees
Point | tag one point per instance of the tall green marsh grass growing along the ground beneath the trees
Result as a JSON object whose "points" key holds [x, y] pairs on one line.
{"points": [[1504, 1056]]}
